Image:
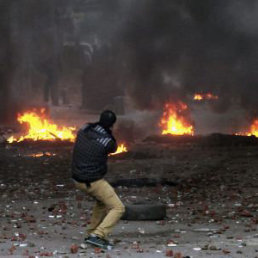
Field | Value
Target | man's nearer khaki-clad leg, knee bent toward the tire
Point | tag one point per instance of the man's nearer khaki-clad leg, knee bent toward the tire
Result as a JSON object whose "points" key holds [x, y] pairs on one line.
{"points": [[105, 193]]}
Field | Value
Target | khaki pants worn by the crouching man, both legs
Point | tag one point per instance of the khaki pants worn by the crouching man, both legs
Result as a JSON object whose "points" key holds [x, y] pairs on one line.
{"points": [[107, 210]]}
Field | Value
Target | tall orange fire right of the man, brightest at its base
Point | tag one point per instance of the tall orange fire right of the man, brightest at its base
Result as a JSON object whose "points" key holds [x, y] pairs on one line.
{"points": [[173, 120]]}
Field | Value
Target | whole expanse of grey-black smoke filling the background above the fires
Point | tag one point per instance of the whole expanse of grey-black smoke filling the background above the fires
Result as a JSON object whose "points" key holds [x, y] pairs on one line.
{"points": [[153, 51]]}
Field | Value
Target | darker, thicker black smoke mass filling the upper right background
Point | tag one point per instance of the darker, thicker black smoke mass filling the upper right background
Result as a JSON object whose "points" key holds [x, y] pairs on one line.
{"points": [[178, 48]]}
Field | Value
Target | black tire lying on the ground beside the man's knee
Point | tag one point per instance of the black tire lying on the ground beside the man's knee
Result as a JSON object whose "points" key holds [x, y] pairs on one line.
{"points": [[144, 212]]}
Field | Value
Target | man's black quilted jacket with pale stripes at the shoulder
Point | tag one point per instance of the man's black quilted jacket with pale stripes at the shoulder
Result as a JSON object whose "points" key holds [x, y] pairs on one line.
{"points": [[91, 149]]}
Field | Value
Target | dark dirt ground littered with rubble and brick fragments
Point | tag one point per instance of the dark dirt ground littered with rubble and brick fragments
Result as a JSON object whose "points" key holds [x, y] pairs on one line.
{"points": [[211, 212]]}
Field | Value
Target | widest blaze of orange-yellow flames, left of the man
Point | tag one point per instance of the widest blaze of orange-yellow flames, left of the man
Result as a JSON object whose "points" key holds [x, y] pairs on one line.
{"points": [[40, 128]]}
